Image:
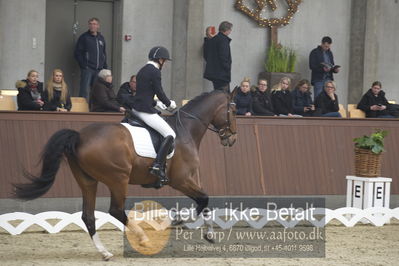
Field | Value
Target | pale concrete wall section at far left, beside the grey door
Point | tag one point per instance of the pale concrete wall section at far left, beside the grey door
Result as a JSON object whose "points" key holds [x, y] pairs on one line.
{"points": [[21, 21]]}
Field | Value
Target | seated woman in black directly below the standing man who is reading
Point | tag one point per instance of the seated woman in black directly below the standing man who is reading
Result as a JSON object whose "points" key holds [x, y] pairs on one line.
{"points": [[327, 101]]}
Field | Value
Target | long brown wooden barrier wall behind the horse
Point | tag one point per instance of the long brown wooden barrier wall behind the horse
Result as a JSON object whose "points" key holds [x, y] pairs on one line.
{"points": [[273, 156]]}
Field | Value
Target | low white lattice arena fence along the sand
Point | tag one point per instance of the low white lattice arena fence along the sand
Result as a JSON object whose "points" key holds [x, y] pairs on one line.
{"points": [[348, 217]]}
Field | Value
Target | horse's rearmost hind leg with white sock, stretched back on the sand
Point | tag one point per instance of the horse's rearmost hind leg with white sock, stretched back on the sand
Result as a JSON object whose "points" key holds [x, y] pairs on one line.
{"points": [[88, 186]]}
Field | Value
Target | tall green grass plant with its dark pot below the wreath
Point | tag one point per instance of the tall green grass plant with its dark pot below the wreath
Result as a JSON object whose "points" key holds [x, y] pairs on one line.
{"points": [[280, 62]]}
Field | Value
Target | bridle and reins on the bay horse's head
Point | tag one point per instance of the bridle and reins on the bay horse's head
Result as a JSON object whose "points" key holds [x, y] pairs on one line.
{"points": [[224, 132]]}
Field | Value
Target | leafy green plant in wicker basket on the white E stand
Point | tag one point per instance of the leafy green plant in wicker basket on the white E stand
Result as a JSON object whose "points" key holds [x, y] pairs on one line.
{"points": [[368, 154]]}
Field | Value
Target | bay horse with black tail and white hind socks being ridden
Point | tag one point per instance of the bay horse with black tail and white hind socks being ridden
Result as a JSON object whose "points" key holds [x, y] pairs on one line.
{"points": [[105, 153]]}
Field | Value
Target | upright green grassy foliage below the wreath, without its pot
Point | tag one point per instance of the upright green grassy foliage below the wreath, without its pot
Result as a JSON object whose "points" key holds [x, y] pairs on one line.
{"points": [[280, 59]]}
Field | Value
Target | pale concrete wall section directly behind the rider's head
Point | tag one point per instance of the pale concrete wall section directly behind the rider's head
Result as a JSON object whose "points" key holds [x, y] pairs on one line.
{"points": [[150, 22]]}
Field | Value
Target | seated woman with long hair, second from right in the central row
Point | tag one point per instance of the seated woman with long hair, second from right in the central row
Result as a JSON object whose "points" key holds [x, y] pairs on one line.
{"points": [[302, 99]]}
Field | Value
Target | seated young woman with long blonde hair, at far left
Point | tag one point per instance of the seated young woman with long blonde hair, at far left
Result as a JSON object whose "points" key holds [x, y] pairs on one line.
{"points": [[56, 96]]}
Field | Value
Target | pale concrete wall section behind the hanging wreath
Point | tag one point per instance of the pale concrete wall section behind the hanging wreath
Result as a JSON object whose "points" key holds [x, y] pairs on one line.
{"points": [[315, 19]]}
